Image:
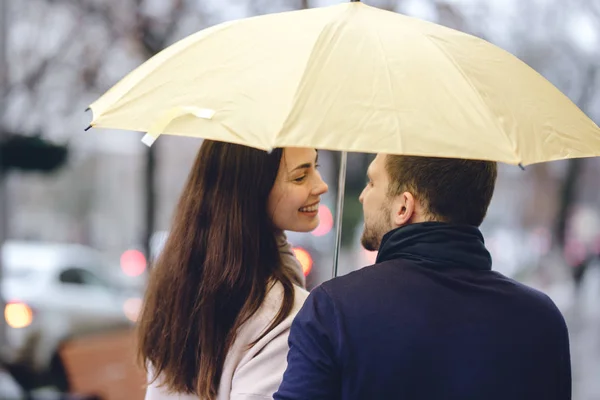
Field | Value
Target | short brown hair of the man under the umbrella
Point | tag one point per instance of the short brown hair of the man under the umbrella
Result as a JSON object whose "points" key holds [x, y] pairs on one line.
{"points": [[452, 190]]}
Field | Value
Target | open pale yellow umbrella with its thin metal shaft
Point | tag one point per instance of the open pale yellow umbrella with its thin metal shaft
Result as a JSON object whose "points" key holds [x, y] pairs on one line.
{"points": [[350, 77]]}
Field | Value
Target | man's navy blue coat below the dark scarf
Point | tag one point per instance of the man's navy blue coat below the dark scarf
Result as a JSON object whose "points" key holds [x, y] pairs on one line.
{"points": [[408, 330]]}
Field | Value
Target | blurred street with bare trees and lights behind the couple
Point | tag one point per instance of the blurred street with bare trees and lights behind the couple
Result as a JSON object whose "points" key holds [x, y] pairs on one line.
{"points": [[82, 214]]}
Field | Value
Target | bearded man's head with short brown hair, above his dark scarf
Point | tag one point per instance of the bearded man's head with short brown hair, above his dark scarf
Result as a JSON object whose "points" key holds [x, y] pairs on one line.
{"points": [[405, 190]]}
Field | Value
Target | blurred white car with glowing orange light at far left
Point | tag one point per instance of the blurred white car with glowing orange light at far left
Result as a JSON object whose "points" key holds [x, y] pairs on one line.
{"points": [[53, 293]]}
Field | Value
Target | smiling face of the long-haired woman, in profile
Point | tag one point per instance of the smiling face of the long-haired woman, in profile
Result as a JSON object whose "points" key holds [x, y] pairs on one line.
{"points": [[294, 200]]}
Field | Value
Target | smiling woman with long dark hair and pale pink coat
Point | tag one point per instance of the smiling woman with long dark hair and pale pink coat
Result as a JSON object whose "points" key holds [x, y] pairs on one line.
{"points": [[223, 293]]}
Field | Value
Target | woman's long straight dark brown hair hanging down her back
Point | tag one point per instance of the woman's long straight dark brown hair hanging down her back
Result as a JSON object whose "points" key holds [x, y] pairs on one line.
{"points": [[215, 268]]}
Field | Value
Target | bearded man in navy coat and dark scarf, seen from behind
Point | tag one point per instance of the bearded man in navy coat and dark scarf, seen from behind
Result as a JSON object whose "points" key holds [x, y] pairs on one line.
{"points": [[430, 320]]}
